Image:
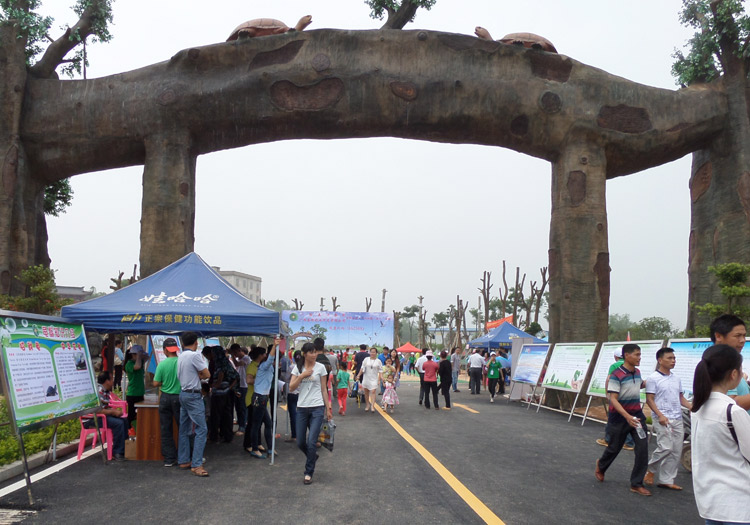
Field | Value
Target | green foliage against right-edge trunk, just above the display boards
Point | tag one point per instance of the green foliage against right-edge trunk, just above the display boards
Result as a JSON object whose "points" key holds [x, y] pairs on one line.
{"points": [[733, 282]]}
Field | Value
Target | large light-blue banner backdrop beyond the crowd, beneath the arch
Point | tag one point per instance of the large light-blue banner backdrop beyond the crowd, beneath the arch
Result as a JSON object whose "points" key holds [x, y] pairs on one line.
{"points": [[339, 329]]}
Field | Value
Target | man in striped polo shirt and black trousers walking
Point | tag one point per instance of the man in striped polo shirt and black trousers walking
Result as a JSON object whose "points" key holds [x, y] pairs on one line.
{"points": [[626, 418]]}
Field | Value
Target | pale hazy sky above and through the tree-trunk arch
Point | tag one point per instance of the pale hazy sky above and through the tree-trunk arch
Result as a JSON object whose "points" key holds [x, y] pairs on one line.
{"points": [[348, 218]]}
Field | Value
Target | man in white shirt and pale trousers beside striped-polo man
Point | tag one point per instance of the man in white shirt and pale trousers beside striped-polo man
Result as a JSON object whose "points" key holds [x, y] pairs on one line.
{"points": [[665, 398]]}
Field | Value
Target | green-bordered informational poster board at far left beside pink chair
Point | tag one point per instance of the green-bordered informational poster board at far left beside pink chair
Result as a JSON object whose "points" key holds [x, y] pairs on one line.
{"points": [[47, 367]]}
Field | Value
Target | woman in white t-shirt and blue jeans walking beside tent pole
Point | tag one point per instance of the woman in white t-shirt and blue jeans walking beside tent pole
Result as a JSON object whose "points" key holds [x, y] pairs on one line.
{"points": [[312, 405]]}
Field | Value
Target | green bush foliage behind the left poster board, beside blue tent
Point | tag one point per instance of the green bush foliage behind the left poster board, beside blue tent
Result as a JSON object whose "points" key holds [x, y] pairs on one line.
{"points": [[41, 295]]}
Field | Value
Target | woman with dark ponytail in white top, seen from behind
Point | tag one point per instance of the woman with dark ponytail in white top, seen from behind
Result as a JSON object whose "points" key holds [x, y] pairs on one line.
{"points": [[721, 460]]}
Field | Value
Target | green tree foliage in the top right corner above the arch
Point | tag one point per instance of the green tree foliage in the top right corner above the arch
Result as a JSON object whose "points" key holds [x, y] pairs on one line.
{"points": [[713, 20]]}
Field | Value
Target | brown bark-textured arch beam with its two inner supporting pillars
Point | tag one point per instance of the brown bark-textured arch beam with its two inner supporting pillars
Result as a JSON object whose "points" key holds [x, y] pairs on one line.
{"points": [[340, 84]]}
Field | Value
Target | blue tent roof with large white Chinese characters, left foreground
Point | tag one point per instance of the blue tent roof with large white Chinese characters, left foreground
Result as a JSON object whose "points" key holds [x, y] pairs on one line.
{"points": [[186, 296]]}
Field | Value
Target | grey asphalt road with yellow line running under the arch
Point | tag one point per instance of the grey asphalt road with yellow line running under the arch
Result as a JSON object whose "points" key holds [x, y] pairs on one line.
{"points": [[527, 468]]}
